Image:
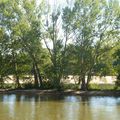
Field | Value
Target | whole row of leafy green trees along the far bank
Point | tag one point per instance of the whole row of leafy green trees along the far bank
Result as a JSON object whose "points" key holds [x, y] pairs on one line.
{"points": [[54, 42]]}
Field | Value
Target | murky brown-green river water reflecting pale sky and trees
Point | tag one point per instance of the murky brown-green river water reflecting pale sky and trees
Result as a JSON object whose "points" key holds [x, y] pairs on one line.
{"points": [[28, 107]]}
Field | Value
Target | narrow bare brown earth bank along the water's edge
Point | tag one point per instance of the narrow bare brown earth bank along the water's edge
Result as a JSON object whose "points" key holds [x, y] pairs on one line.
{"points": [[65, 92]]}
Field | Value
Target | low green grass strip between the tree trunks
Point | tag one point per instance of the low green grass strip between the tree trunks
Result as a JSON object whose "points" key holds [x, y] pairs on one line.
{"points": [[95, 87]]}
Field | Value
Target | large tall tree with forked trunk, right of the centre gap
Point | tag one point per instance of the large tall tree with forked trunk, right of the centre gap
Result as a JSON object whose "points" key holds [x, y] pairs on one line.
{"points": [[91, 23]]}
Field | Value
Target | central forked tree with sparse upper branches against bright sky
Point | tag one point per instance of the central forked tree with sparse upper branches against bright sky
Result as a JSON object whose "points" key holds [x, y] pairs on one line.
{"points": [[53, 34]]}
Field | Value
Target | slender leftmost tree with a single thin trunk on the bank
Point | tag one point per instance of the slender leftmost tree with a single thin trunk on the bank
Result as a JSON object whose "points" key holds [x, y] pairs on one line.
{"points": [[9, 19]]}
